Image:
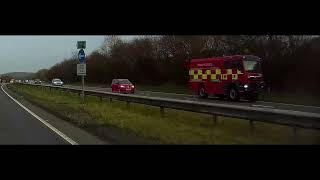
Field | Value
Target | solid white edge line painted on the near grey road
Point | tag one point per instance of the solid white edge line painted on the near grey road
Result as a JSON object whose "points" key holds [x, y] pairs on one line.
{"points": [[69, 140]]}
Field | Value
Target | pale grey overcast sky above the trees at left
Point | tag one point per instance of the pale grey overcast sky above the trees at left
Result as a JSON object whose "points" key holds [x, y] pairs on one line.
{"points": [[31, 53]]}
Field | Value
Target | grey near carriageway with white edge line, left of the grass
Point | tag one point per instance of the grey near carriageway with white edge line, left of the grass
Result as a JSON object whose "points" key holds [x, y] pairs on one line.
{"points": [[20, 125]]}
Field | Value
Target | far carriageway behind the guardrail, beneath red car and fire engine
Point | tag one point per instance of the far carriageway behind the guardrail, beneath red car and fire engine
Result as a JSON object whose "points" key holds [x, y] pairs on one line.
{"points": [[260, 104]]}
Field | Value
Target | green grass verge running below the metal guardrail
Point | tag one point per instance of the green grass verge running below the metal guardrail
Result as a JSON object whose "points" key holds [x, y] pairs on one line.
{"points": [[176, 127]]}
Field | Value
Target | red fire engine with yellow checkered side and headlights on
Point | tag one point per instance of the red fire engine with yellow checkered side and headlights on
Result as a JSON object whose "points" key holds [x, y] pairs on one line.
{"points": [[228, 76]]}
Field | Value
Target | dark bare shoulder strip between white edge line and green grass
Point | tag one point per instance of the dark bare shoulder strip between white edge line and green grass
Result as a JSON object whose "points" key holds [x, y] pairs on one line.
{"points": [[83, 121]]}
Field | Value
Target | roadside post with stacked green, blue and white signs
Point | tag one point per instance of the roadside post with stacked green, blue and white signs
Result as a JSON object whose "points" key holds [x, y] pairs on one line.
{"points": [[81, 67]]}
